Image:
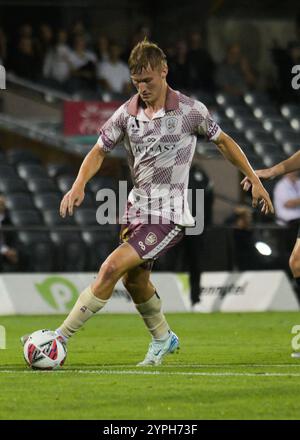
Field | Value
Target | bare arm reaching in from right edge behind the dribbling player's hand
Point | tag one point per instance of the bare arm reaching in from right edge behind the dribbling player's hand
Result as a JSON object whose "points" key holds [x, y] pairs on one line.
{"points": [[284, 167]]}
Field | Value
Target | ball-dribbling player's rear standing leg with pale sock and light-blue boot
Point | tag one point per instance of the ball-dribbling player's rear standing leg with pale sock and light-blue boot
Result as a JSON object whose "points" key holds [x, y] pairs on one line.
{"points": [[148, 304]]}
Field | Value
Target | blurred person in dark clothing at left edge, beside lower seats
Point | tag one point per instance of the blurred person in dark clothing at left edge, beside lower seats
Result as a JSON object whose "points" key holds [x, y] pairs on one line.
{"points": [[8, 255]]}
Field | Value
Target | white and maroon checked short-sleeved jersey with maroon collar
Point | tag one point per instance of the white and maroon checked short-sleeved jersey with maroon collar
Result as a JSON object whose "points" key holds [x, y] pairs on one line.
{"points": [[160, 152]]}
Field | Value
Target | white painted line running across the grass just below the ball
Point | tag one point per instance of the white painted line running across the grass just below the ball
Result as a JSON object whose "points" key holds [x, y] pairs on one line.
{"points": [[153, 373]]}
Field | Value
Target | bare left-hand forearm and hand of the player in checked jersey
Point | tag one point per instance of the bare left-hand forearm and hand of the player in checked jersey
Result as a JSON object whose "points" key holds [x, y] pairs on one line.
{"points": [[89, 167]]}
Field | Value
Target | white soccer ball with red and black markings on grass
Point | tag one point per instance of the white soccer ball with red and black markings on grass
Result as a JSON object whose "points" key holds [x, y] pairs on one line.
{"points": [[44, 351]]}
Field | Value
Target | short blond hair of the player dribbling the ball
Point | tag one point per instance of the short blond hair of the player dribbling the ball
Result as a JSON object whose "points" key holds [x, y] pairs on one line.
{"points": [[146, 54]]}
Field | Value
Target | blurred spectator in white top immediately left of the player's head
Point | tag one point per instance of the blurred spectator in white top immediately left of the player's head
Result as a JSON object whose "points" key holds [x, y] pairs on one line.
{"points": [[113, 74]]}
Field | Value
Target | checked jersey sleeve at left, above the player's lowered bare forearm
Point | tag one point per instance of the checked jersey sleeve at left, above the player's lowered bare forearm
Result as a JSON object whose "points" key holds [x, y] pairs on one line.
{"points": [[113, 131]]}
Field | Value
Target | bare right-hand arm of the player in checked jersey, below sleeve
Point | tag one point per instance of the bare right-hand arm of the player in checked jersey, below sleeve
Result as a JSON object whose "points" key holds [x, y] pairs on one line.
{"points": [[231, 151]]}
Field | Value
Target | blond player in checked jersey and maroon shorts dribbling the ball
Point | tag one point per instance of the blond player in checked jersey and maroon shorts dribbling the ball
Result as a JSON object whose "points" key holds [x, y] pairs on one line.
{"points": [[158, 127]]}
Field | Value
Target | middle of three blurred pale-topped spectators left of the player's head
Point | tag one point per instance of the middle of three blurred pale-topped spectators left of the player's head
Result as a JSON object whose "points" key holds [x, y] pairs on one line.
{"points": [[83, 66]]}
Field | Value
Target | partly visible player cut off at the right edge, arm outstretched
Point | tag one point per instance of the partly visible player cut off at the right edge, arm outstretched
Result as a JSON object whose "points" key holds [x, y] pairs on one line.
{"points": [[284, 167]]}
